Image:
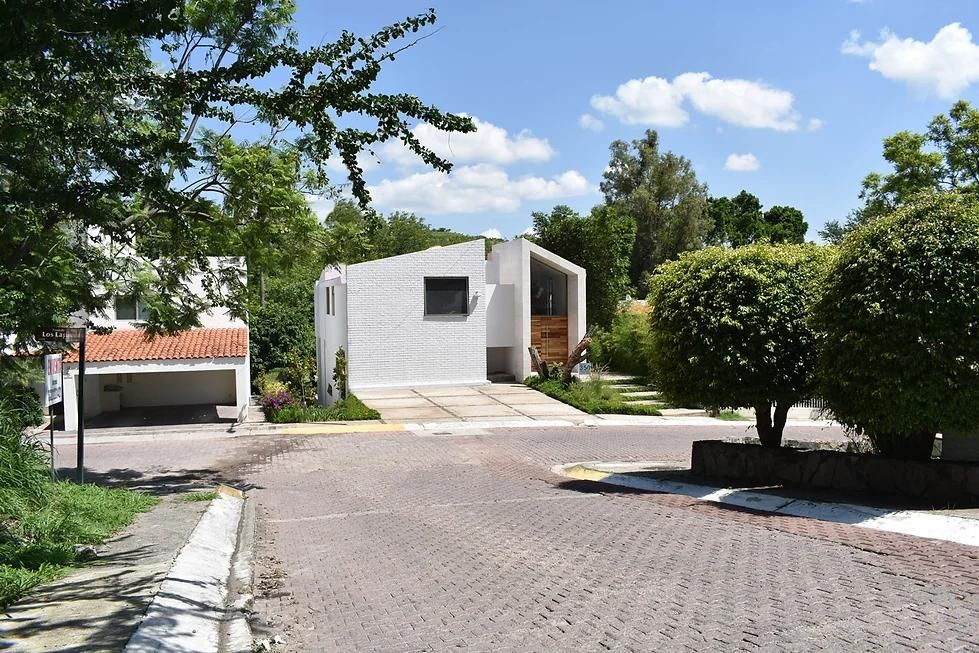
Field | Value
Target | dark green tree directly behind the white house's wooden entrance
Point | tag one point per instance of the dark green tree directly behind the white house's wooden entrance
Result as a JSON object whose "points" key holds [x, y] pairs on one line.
{"points": [[600, 242]]}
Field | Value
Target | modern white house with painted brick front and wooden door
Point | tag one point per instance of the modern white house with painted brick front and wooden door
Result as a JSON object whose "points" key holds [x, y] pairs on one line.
{"points": [[446, 315]]}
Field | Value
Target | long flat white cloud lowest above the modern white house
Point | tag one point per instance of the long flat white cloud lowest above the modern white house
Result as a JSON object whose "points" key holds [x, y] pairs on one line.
{"points": [[473, 189]]}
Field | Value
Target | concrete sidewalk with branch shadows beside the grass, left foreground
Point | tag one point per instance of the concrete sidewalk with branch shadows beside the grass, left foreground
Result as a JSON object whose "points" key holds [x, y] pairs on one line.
{"points": [[98, 607]]}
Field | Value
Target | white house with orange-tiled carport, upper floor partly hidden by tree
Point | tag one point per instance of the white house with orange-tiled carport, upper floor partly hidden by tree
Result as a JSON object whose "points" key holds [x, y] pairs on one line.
{"points": [[123, 369]]}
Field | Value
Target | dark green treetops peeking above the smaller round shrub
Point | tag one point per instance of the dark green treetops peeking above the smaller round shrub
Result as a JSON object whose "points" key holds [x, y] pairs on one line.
{"points": [[738, 221]]}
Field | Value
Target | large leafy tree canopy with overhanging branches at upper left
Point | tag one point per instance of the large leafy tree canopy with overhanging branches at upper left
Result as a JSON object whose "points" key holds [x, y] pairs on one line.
{"points": [[109, 158]]}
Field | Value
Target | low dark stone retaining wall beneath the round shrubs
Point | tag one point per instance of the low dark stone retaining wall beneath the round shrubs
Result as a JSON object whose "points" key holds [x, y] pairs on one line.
{"points": [[933, 482]]}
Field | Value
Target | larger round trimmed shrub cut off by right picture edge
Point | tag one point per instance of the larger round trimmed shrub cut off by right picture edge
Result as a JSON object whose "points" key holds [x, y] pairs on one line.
{"points": [[900, 312]]}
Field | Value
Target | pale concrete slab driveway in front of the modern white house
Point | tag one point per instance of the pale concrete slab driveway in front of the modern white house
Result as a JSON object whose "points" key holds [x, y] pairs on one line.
{"points": [[499, 402]]}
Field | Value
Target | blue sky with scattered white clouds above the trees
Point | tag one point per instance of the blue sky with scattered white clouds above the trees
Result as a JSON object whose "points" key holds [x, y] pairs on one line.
{"points": [[787, 83]]}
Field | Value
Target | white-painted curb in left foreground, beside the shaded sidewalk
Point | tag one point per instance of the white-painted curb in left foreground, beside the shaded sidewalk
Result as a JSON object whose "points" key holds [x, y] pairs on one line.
{"points": [[188, 611]]}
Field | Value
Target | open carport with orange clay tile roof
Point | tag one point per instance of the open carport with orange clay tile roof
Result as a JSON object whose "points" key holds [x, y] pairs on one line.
{"points": [[194, 377]]}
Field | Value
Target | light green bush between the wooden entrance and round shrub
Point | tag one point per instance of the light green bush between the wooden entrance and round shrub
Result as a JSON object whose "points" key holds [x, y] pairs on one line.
{"points": [[624, 347]]}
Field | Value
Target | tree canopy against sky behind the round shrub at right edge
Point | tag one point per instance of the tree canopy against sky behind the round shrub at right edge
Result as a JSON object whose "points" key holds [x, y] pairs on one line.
{"points": [[945, 158]]}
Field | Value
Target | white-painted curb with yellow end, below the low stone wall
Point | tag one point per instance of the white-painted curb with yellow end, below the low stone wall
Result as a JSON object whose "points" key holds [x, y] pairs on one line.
{"points": [[907, 522]]}
